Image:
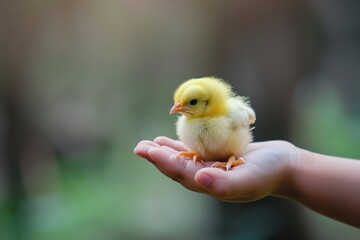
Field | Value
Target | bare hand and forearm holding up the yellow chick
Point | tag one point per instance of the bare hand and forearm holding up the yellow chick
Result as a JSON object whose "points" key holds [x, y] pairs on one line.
{"points": [[326, 184]]}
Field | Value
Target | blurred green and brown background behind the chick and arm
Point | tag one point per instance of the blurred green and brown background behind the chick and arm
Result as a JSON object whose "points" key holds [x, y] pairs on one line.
{"points": [[81, 82]]}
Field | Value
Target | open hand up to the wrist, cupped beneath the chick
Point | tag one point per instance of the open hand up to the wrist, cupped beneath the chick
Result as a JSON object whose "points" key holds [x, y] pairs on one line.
{"points": [[267, 170]]}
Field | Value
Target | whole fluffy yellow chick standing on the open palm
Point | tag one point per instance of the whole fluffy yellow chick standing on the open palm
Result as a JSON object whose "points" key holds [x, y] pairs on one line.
{"points": [[214, 122]]}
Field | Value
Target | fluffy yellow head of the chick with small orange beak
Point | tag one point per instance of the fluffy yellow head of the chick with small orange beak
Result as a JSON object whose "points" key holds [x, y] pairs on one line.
{"points": [[202, 97]]}
